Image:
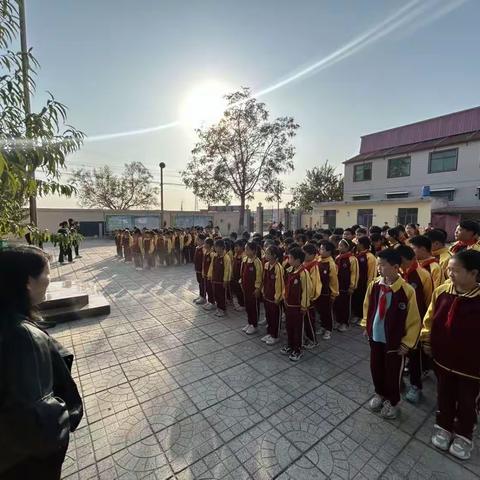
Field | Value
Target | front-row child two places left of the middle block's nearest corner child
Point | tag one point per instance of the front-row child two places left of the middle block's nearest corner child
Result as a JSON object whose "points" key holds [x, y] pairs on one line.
{"points": [[251, 282]]}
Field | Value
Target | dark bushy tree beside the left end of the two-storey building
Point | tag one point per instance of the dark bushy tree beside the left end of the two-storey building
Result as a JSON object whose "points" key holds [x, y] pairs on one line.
{"points": [[321, 184]]}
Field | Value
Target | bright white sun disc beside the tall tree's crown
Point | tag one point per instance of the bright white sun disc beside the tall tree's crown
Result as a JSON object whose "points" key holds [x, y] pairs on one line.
{"points": [[204, 104]]}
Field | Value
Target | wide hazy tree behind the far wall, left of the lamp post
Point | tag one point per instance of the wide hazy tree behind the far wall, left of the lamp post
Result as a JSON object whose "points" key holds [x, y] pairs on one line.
{"points": [[100, 188]]}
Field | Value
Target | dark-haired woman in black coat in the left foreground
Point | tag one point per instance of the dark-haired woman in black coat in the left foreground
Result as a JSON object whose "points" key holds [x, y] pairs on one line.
{"points": [[39, 401]]}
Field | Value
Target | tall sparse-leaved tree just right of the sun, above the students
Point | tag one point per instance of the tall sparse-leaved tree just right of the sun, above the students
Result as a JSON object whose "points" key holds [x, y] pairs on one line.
{"points": [[243, 153]]}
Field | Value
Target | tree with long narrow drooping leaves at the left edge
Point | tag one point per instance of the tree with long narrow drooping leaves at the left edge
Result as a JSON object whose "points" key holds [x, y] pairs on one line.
{"points": [[37, 141]]}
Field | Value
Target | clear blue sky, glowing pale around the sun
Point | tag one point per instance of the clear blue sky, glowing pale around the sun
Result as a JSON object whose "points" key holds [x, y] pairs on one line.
{"points": [[122, 66]]}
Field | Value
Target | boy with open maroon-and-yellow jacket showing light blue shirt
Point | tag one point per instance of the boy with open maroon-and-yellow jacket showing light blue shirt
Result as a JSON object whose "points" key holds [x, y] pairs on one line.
{"points": [[392, 326]]}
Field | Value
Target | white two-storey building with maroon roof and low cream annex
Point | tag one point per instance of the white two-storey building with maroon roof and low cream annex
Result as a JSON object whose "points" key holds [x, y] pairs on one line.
{"points": [[425, 172]]}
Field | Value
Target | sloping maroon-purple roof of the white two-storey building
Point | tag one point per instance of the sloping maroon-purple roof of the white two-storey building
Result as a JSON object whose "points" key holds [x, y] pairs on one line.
{"points": [[458, 127]]}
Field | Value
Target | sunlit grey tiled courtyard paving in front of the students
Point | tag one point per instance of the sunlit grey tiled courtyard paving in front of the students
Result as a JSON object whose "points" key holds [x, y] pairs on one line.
{"points": [[171, 391]]}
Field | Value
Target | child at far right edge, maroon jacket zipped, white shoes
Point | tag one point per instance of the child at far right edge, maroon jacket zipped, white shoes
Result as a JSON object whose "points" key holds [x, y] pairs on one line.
{"points": [[451, 334]]}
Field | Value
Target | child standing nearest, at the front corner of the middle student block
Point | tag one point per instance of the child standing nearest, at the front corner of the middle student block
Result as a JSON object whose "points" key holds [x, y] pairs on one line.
{"points": [[297, 301]]}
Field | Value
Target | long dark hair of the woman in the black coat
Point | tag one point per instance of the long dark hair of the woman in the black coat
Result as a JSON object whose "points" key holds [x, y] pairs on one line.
{"points": [[17, 265]]}
